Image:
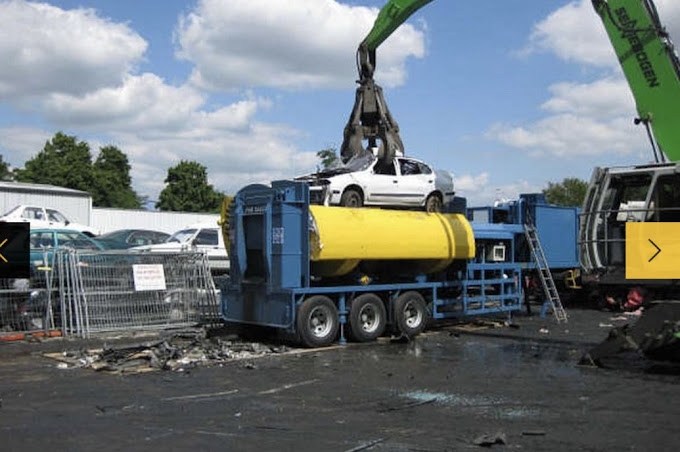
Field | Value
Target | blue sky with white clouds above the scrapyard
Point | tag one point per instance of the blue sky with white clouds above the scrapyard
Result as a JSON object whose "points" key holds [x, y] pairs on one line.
{"points": [[508, 95]]}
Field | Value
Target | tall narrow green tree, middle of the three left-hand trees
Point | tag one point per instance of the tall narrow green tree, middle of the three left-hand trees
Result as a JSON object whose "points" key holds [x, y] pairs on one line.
{"points": [[112, 185]]}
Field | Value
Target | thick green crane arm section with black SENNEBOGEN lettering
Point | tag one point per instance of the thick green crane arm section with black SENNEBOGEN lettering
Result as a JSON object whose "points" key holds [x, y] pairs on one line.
{"points": [[651, 66]]}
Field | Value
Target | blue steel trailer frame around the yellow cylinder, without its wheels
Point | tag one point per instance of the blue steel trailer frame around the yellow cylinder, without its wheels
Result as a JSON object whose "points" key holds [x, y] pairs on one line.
{"points": [[271, 278]]}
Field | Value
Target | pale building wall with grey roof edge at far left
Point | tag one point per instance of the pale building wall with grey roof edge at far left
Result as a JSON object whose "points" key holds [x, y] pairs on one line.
{"points": [[76, 205]]}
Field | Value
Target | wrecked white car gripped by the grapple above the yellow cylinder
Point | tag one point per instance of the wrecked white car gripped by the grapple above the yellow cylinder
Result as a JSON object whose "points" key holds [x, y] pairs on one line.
{"points": [[364, 181]]}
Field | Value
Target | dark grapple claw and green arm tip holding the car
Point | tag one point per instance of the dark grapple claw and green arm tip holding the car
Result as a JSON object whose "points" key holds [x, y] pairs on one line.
{"points": [[370, 118]]}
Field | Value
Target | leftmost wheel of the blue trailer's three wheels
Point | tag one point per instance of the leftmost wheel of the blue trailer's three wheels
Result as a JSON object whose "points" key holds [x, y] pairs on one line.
{"points": [[317, 321]]}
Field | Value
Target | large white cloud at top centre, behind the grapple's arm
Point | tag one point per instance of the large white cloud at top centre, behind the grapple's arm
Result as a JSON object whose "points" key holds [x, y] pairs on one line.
{"points": [[284, 44]]}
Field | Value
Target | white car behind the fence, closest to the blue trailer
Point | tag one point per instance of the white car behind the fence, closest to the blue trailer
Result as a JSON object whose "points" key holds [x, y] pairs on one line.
{"points": [[204, 237]]}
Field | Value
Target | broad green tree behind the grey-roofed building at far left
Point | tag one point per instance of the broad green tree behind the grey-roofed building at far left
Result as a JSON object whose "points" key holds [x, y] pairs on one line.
{"points": [[63, 161]]}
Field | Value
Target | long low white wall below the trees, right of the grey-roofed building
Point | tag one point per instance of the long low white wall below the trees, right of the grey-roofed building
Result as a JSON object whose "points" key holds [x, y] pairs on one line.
{"points": [[108, 220]]}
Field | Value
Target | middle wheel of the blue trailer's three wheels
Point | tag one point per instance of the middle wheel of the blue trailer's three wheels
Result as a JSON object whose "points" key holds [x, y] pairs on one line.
{"points": [[367, 318]]}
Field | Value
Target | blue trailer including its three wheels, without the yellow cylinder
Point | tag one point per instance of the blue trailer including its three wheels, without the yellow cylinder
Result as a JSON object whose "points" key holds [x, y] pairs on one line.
{"points": [[271, 282]]}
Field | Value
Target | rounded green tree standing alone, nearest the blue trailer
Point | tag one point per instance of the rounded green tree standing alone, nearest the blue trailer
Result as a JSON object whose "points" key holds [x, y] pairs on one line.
{"points": [[187, 190]]}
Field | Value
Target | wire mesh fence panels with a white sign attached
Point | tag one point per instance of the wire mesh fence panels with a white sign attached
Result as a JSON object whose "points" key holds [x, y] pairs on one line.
{"points": [[121, 290]]}
